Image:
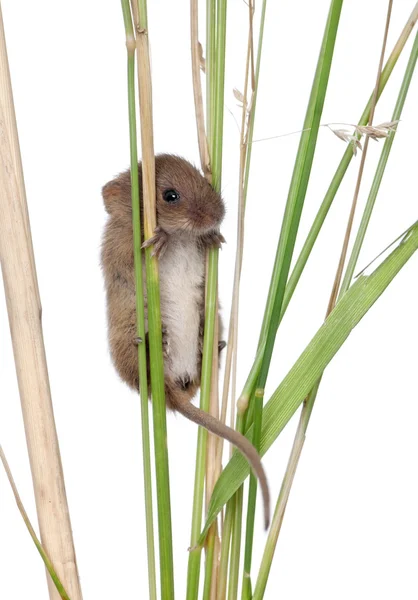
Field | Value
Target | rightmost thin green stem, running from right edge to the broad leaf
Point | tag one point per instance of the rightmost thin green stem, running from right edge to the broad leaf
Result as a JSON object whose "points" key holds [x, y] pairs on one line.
{"points": [[351, 266]]}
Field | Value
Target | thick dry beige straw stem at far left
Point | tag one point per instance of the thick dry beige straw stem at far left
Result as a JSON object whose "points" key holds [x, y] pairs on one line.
{"points": [[19, 277]]}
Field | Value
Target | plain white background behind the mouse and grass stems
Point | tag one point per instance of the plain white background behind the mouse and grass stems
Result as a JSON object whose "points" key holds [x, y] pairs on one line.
{"points": [[351, 527]]}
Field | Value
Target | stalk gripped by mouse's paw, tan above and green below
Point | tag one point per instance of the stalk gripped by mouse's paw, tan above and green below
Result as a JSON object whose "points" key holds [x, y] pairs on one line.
{"points": [[153, 303]]}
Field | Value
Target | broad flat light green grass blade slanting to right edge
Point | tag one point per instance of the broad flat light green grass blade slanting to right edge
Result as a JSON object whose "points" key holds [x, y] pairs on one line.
{"points": [[312, 362]]}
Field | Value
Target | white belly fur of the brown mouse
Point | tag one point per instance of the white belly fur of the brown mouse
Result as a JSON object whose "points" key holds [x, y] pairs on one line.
{"points": [[181, 278]]}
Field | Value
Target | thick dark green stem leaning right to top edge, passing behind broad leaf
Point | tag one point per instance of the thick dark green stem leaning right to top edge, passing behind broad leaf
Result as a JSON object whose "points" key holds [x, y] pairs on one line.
{"points": [[291, 219]]}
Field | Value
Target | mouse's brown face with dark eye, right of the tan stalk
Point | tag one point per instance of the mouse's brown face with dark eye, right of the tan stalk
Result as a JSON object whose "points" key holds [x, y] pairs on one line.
{"points": [[185, 200]]}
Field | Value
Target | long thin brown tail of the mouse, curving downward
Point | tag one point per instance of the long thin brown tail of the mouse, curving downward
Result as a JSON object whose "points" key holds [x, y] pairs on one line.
{"points": [[204, 419]]}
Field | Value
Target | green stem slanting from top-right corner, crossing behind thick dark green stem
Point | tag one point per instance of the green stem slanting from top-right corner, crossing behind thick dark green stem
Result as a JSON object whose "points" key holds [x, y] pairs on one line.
{"points": [[326, 205]]}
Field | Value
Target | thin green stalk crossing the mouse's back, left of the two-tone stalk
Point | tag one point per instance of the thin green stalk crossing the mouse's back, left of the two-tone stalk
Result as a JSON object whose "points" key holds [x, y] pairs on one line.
{"points": [[140, 311]]}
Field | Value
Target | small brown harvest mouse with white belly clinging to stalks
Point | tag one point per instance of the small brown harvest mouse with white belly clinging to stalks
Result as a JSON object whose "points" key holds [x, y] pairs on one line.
{"points": [[189, 213]]}
